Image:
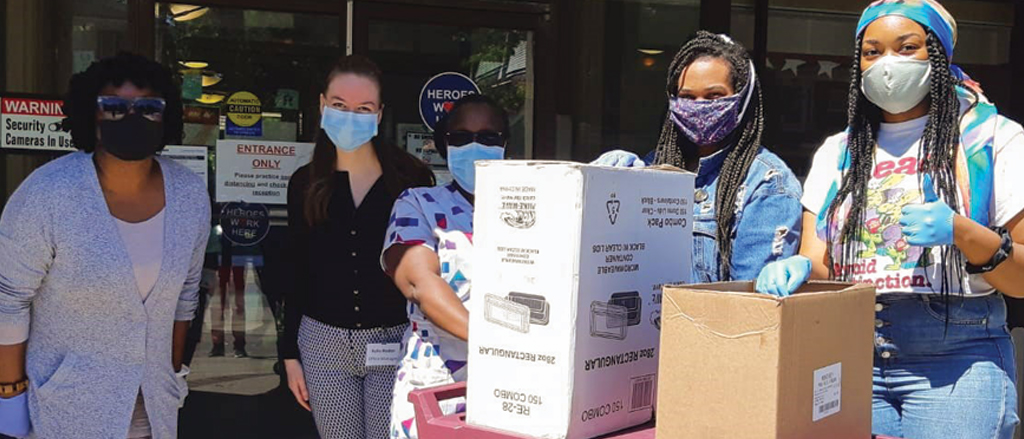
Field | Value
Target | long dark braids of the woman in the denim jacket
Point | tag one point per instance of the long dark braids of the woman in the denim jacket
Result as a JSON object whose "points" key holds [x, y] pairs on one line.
{"points": [[675, 150]]}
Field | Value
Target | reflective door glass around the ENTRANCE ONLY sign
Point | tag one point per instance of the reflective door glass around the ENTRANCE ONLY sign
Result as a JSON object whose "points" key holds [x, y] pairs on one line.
{"points": [[282, 59]]}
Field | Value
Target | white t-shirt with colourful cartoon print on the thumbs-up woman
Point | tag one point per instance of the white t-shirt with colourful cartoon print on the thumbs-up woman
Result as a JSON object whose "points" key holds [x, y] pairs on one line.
{"points": [[885, 258]]}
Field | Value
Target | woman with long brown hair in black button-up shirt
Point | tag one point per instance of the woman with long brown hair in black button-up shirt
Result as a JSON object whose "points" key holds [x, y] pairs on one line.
{"points": [[343, 303]]}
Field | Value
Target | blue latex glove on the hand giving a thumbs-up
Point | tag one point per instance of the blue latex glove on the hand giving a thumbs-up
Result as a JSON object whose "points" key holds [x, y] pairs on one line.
{"points": [[931, 224]]}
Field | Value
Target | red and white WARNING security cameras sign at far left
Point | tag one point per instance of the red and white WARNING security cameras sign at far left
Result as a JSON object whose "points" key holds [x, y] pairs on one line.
{"points": [[33, 123]]}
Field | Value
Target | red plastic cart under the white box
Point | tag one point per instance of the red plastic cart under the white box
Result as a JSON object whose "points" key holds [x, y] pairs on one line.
{"points": [[432, 424]]}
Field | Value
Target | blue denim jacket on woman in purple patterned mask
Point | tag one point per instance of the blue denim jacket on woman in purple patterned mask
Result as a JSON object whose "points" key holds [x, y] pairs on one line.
{"points": [[769, 219]]}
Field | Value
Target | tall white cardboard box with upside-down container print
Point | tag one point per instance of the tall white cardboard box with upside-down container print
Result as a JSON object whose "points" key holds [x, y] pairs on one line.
{"points": [[570, 261]]}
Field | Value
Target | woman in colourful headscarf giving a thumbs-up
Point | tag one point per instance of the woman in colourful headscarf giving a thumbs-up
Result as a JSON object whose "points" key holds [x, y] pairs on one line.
{"points": [[923, 198]]}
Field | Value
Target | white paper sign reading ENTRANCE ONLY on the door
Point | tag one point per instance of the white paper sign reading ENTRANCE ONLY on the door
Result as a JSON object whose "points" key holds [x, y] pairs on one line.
{"points": [[258, 171]]}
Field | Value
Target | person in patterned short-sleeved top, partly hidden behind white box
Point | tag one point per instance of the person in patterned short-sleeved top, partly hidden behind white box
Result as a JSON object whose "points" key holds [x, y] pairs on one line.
{"points": [[429, 251]]}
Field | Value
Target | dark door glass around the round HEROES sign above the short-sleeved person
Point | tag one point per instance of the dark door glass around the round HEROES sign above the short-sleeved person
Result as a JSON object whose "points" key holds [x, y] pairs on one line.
{"points": [[500, 62]]}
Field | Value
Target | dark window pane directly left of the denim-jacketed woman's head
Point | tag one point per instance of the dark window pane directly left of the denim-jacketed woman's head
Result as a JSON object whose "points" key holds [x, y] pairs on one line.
{"points": [[626, 48]]}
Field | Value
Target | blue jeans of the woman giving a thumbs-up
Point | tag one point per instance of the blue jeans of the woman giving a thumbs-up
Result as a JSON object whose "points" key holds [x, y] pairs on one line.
{"points": [[940, 380]]}
